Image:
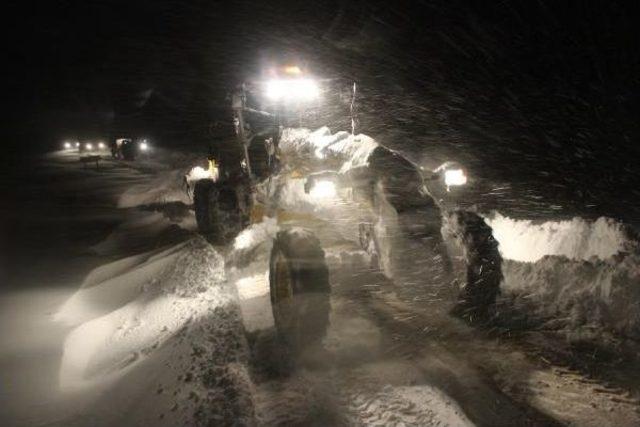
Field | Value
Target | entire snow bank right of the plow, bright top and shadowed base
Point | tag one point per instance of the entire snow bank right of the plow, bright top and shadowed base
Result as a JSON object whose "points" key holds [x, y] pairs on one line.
{"points": [[577, 276]]}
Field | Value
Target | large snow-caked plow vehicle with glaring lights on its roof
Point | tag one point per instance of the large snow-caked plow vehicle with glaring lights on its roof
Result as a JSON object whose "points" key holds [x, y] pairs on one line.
{"points": [[325, 188]]}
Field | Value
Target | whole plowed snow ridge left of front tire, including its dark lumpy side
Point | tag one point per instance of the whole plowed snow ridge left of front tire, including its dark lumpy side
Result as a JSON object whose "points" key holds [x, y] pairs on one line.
{"points": [[159, 336]]}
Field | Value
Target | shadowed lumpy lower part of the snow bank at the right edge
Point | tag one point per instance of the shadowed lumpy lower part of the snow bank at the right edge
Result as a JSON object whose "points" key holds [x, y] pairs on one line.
{"points": [[585, 299]]}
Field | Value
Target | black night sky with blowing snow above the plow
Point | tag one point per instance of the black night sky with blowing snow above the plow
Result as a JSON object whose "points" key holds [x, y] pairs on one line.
{"points": [[550, 85]]}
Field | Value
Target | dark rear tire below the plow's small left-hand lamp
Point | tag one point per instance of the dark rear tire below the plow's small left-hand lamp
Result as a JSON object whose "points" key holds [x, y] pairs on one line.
{"points": [[217, 211]]}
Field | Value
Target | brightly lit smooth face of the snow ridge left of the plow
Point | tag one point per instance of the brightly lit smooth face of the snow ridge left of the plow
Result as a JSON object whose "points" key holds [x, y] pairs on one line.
{"points": [[129, 315]]}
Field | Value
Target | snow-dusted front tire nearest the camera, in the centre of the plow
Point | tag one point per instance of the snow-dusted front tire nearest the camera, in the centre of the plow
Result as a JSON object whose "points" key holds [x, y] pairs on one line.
{"points": [[300, 289]]}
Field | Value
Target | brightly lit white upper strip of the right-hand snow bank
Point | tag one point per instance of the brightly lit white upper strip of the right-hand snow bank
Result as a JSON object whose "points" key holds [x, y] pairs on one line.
{"points": [[579, 239]]}
